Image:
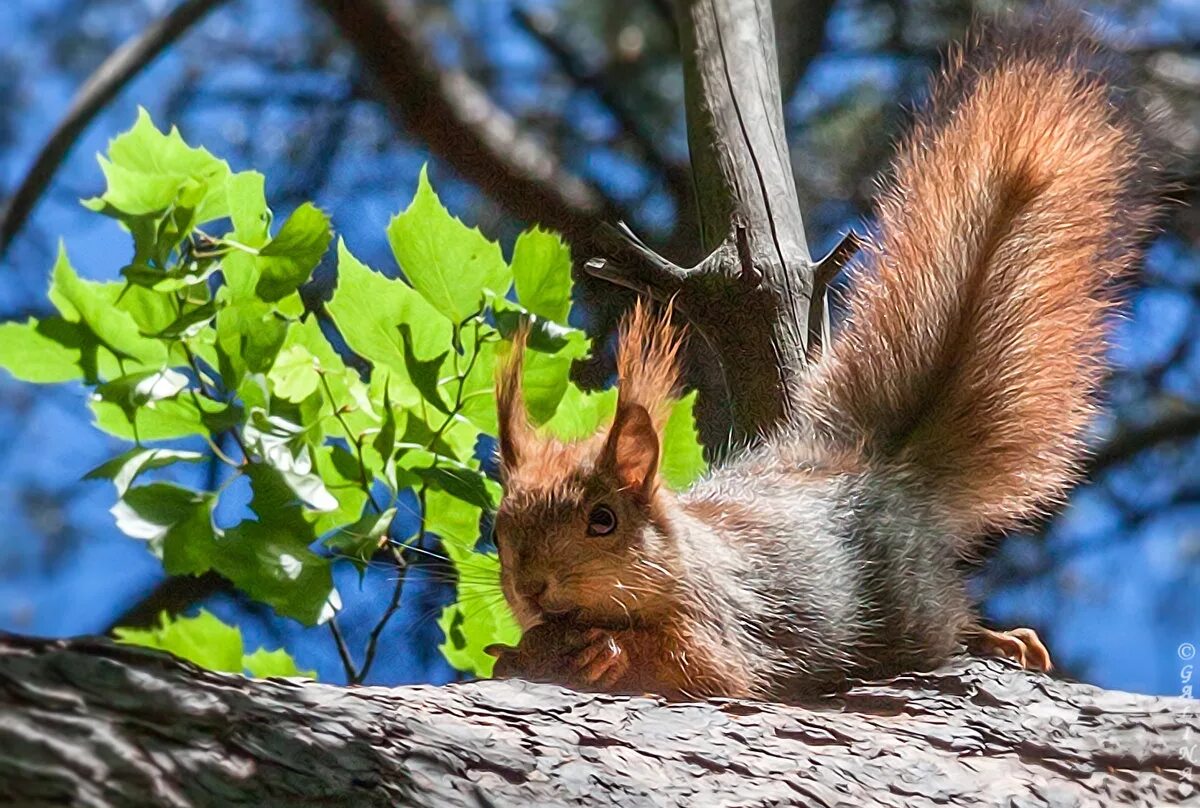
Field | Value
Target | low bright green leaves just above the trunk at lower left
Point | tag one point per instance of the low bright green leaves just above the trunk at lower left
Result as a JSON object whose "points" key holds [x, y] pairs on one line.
{"points": [[211, 644]]}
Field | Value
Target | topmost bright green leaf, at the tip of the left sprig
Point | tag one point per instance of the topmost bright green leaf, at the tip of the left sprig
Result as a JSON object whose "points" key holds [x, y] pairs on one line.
{"points": [[148, 172]]}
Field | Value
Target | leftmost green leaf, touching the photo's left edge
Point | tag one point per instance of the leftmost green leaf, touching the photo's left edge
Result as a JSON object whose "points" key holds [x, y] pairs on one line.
{"points": [[47, 351]]}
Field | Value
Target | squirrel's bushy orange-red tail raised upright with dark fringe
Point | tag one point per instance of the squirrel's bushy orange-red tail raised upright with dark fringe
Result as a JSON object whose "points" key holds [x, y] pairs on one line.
{"points": [[975, 333]]}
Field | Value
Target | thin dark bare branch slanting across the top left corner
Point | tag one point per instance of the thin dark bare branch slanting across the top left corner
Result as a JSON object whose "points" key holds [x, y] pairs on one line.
{"points": [[101, 87]]}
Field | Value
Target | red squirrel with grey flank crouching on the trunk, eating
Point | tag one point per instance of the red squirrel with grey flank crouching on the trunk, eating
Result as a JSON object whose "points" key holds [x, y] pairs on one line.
{"points": [[951, 405]]}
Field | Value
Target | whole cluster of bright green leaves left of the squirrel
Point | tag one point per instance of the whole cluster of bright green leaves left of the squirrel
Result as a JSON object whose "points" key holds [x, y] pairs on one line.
{"points": [[206, 342]]}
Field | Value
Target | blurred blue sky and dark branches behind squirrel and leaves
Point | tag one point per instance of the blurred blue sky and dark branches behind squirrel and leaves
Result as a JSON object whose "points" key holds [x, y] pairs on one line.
{"points": [[482, 91]]}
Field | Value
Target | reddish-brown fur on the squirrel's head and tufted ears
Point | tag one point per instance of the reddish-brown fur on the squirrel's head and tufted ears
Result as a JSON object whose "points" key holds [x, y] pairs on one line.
{"points": [[550, 486]]}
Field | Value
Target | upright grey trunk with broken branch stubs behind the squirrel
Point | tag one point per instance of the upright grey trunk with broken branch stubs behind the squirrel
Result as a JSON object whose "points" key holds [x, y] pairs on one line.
{"points": [[758, 298]]}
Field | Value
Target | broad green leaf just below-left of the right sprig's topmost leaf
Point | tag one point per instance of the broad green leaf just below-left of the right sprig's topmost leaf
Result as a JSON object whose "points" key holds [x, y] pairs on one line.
{"points": [[370, 310]]}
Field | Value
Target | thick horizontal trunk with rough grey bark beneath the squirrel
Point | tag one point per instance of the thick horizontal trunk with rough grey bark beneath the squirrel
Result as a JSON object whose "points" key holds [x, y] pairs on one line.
{"points": [[88, 723]]}
